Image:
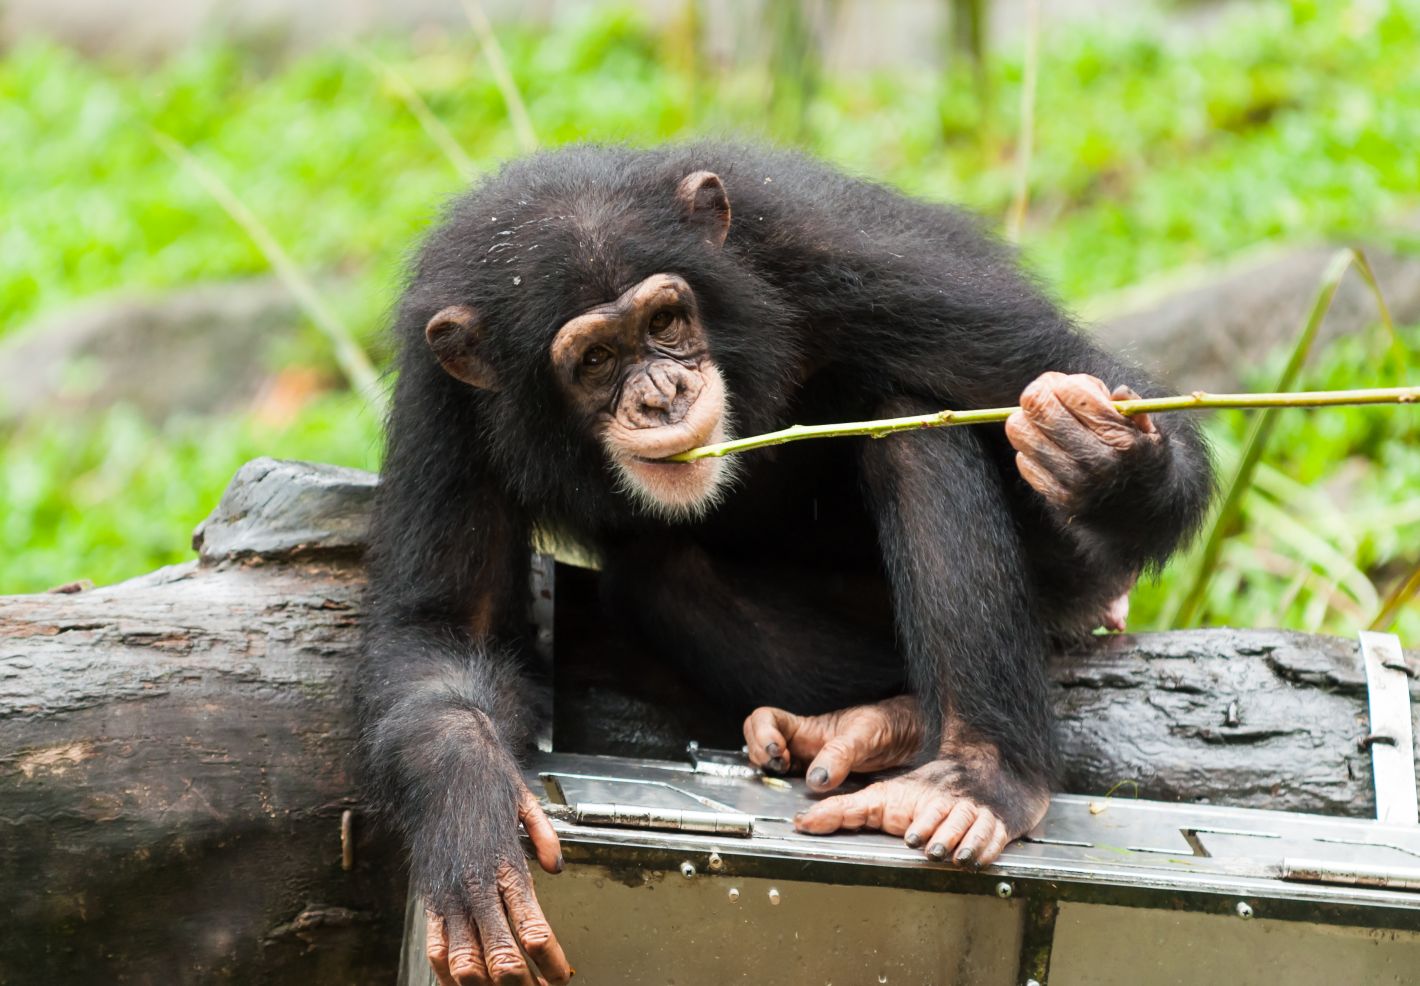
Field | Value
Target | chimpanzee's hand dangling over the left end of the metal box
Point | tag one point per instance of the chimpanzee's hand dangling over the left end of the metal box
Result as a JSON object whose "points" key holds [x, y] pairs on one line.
{"points": [[495, 926]]}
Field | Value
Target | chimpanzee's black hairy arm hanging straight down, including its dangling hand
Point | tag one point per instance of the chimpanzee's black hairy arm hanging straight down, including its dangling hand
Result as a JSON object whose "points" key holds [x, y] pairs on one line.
{"points": [[444, 703]]}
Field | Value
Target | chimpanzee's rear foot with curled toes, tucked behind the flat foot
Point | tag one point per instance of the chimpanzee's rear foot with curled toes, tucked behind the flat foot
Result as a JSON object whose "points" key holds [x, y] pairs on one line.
{"points": [[829, 748]]}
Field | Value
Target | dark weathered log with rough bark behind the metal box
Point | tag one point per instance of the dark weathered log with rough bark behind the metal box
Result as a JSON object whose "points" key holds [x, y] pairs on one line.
{"points": [[175, 751]]}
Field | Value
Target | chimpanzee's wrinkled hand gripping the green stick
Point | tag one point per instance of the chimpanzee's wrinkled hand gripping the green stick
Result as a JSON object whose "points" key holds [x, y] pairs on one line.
{"points": [[1070, 440]]}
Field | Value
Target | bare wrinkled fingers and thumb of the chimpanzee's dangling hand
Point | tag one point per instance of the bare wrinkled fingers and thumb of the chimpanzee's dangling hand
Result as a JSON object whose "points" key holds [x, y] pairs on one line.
{"points": [[501, 936]]}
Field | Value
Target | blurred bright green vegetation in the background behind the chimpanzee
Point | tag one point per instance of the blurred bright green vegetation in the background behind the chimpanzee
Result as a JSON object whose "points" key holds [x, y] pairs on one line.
{"points": [[1293, 120]]}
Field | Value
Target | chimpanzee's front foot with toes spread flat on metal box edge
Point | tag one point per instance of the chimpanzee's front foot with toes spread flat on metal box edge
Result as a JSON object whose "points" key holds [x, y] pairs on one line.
{"points": [[965, 806]]}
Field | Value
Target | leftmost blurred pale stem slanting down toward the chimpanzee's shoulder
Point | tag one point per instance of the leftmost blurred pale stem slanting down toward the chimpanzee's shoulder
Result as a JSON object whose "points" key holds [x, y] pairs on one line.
{"points": [[350, 357]]}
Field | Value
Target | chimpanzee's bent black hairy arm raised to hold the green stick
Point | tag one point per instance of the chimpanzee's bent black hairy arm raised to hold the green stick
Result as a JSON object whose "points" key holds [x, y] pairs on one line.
{"points": [[944, 312]]}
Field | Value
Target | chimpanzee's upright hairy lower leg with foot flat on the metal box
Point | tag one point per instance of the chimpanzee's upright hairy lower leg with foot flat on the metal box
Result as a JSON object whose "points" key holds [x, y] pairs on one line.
{"points": [[973, 644]]}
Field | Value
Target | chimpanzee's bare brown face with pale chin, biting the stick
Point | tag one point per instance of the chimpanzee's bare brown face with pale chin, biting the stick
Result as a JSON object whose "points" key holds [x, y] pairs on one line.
{"points": [[641, 370]]}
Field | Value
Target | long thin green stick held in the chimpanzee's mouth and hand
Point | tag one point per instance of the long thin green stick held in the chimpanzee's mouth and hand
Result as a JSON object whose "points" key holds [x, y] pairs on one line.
{"points": [[1145, 406]]}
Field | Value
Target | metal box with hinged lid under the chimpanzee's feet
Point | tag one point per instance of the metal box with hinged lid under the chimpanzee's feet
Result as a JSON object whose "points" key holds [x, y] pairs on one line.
{"points": [[1104, 892]]}
